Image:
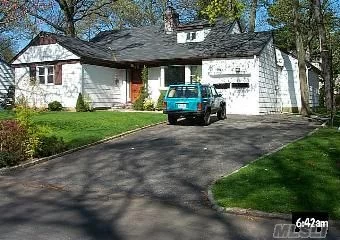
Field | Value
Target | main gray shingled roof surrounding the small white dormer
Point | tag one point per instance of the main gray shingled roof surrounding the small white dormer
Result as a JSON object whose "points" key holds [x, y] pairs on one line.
{"points": [[152, 44]]}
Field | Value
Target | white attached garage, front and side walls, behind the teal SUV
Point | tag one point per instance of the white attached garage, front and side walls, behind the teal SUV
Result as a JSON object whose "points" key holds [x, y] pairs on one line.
{"points": [[249, 84]]}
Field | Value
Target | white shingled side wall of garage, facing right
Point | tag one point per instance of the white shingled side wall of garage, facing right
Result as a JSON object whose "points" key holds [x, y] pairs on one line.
{"points": [[269, 101]]}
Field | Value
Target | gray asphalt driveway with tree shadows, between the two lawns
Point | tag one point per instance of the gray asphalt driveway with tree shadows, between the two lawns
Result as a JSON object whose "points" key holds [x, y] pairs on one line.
{"points": [[149, 185]]}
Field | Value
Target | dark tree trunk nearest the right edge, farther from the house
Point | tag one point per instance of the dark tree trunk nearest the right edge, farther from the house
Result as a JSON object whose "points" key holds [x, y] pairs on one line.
{"points": [[326, 60]]}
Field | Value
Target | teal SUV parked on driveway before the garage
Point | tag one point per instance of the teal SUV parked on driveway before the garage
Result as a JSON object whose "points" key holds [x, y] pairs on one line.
{"points": [[193, 101]]}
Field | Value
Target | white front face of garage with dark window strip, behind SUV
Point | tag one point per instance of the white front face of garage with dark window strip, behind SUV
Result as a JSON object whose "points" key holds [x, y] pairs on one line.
{"points": [[239, 101]]}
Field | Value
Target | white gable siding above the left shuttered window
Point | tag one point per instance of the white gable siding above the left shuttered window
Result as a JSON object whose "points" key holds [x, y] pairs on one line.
{"points": [[45, 53]]}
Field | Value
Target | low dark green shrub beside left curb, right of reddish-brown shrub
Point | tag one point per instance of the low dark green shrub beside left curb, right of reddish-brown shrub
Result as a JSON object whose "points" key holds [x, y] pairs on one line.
{"points": [[49, 145]]}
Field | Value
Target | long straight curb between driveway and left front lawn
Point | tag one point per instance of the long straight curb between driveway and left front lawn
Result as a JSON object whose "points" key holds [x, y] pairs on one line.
{"points": [[45, 159]]}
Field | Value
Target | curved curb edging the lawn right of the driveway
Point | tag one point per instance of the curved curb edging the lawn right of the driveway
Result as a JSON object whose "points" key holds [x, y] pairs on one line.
{"points": [[250, 212]]}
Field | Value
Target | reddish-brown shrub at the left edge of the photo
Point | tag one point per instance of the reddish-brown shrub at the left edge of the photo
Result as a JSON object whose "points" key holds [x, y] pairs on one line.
{"points": [[13, 143]]}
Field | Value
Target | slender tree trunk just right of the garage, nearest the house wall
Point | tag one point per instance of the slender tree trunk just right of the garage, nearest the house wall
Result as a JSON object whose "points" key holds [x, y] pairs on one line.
{"points": [[304, 91]]}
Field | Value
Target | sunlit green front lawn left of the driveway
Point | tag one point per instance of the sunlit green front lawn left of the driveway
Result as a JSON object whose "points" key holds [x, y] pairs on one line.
{"points": [[77, 128]]}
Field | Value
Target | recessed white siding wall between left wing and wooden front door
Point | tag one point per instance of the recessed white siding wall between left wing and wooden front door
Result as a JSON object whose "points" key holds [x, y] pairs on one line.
{"points": [[104, 86]]}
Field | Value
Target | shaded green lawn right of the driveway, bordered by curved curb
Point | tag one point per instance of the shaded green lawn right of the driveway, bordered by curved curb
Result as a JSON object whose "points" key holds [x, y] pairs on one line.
{"points": [[304, 176]]}
